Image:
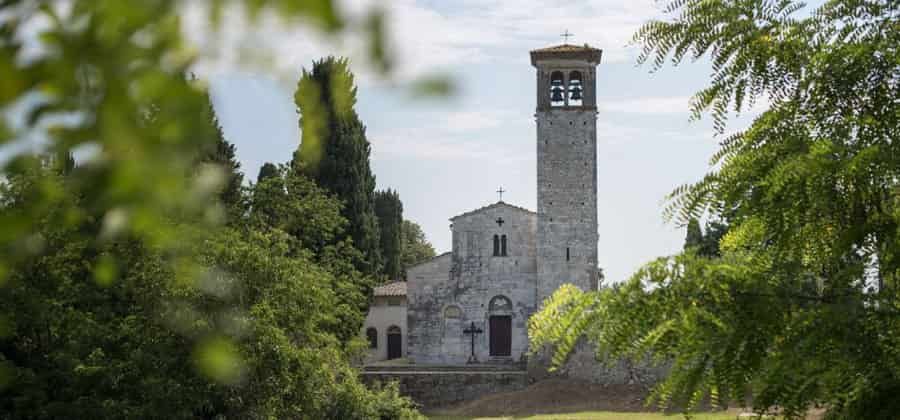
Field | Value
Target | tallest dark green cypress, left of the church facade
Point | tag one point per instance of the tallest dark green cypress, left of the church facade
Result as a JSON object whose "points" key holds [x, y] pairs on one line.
{"points": [[335, 153]]}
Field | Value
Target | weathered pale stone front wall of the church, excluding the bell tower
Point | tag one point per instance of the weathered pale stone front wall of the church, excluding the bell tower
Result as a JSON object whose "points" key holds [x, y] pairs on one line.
{"points": [[443, 303]]}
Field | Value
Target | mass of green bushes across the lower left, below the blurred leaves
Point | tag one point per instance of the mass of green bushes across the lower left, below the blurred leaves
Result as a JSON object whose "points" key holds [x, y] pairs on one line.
{"points": [[104, 339]]}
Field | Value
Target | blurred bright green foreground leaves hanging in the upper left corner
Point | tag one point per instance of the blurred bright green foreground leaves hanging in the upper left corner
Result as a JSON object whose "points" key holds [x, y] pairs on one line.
{"points": [[119, 70]]}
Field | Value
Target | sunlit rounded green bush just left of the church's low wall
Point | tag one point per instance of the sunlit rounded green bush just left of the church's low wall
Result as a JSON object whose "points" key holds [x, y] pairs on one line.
{"points": [[281, 307]]}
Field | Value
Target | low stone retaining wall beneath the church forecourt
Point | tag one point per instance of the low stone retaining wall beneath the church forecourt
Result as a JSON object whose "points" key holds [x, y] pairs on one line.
{"points": [[438, 386]]}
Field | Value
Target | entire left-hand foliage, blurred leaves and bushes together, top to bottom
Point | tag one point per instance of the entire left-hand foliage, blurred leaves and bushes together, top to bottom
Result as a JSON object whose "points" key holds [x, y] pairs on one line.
{"points": [[122, 293]]}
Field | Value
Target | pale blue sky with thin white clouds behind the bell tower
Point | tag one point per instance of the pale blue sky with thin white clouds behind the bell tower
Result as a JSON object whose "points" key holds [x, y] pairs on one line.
{"points": [[449, 156]]}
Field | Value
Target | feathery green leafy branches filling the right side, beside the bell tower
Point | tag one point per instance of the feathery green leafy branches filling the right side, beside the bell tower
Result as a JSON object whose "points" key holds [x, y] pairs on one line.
{"points": [[802, 307]]}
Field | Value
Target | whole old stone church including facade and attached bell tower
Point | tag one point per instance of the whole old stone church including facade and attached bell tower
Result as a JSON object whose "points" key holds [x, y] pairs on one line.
{"points": [[505, 259]]}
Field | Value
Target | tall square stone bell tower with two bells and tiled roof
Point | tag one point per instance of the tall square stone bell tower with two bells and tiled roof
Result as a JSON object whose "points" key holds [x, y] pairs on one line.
{"points": [[566, 167]]}
